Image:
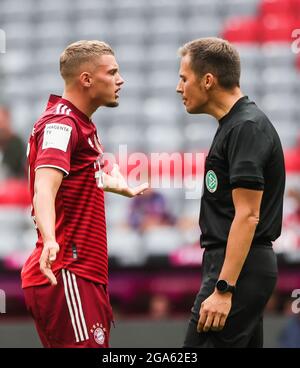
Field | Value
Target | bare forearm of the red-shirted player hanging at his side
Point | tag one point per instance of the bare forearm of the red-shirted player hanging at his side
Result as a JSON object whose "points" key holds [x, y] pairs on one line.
{"points": [[44, 208]]}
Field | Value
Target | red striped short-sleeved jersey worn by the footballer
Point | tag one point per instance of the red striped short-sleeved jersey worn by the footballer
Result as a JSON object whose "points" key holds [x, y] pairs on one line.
{"points": [[66, 139]]}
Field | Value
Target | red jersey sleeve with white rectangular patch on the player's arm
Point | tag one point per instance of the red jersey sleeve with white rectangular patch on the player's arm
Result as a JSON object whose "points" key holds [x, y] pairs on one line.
{"points": [[55, 144]]}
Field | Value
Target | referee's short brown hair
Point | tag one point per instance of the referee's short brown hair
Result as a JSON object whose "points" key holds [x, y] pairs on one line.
{"points": [[216, 56]]}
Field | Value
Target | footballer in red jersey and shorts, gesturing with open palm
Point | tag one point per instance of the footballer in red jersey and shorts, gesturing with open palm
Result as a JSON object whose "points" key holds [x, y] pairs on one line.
{"points": [[65, 278]]}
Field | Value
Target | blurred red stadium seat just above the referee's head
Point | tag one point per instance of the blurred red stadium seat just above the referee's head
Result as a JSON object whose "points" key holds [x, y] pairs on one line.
{"points": [[242, 29]]}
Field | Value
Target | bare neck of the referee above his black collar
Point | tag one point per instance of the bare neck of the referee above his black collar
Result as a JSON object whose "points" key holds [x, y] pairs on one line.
{"points": [[223, 102]]}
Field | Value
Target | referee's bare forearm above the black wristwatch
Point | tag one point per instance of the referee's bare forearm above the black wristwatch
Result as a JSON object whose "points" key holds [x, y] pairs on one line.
{"points": [[239, 241]]}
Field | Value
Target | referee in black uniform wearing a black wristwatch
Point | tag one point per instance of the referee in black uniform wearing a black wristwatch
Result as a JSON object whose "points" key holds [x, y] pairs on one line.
{"points": [[241, 205]]}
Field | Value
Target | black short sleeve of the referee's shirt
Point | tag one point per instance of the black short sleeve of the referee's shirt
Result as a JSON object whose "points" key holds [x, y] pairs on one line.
{"points": [[248, 149]]}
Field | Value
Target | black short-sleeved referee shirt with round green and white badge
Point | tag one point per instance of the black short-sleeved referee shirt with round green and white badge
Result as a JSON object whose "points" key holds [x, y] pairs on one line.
{"points": [[245, 153]]}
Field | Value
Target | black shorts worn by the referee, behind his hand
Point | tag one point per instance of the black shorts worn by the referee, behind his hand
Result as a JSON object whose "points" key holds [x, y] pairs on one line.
{"points": [[244, 325]]}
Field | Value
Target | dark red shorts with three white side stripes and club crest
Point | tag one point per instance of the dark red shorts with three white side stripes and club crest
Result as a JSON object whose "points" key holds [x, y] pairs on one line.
{"points": [[76, 313]]}
